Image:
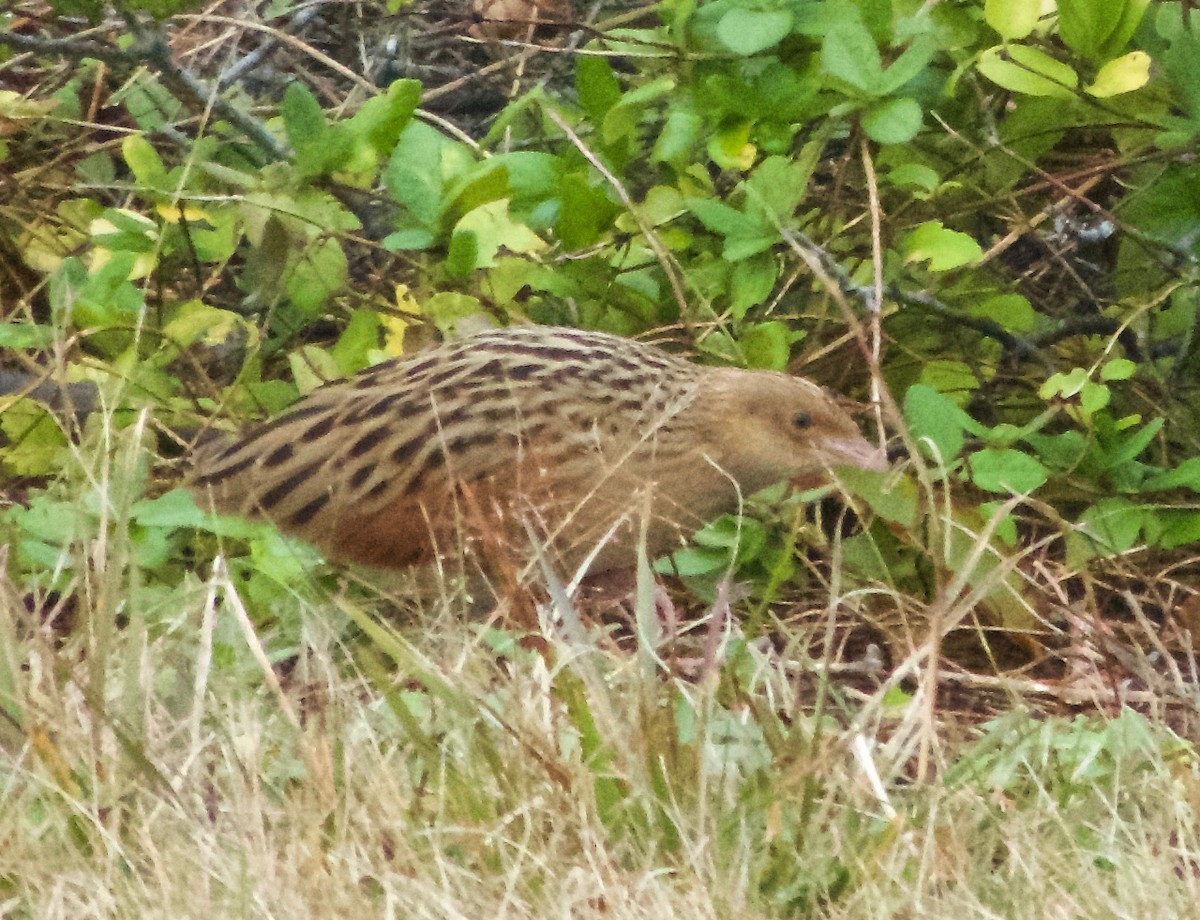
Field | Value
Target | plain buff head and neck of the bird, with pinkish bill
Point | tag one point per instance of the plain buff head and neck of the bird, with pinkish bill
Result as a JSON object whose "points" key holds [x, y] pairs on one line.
{"points": [[769, 428]]}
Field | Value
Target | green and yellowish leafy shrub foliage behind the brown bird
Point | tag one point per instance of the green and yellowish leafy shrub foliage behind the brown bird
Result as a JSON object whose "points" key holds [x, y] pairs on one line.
{"points": [[679, 187]]}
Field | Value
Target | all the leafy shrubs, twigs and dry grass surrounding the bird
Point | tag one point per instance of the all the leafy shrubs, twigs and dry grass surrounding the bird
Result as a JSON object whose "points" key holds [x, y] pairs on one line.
{"points": [[974, 694]]}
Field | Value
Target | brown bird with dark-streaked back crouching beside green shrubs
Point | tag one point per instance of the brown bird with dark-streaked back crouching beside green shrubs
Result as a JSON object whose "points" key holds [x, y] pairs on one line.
{"points": [[584, 441]]}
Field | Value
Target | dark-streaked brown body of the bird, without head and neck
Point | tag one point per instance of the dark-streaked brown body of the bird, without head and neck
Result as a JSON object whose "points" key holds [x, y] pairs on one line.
{"points": [[404, 460]]}
